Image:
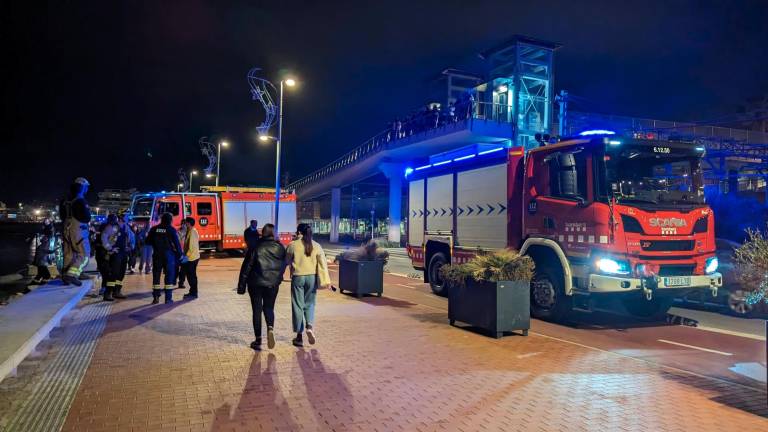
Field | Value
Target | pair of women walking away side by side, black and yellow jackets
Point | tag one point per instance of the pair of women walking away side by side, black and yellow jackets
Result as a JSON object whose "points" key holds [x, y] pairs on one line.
{"points": [[262, 272]]}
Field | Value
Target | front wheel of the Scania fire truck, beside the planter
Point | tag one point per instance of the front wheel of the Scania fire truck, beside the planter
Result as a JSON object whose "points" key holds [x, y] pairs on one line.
{"points": [[548, 299]]}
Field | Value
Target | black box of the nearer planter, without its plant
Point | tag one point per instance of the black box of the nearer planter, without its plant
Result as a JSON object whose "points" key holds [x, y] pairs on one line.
{"points": [[498, 307]]}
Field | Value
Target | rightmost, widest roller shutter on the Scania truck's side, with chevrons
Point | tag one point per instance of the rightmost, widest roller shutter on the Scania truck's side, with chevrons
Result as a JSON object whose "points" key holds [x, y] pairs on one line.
{"points": [[481, 200]]}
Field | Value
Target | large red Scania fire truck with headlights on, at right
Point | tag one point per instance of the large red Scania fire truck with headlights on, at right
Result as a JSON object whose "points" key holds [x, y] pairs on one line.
{"points": [[603, 218]]}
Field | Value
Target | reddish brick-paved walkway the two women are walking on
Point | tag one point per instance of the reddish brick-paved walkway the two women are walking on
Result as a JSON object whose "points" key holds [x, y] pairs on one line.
{"points": [[379, 364]]}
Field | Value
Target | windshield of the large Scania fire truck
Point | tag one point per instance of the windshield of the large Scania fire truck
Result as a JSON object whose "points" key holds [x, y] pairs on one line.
{"points": [[654, 175]]}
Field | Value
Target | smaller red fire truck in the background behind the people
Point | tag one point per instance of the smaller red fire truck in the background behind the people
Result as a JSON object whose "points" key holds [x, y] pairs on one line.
{"points": [[221, 213]]}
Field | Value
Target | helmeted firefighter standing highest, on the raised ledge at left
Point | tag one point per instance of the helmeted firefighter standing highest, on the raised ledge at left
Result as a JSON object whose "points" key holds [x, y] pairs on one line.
{"points": [[76, 215]]}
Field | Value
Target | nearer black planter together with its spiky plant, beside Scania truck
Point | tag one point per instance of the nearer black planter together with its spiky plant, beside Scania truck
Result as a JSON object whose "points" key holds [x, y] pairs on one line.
{"points": [[491, 292]]}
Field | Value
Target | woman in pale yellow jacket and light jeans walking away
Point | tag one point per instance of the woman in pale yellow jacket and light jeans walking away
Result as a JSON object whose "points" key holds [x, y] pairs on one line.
{"points": [[308, 269]]}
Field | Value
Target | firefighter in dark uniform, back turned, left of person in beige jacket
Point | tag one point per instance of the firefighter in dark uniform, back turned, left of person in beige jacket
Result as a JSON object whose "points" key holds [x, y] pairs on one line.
{"points": [[166, 253]]}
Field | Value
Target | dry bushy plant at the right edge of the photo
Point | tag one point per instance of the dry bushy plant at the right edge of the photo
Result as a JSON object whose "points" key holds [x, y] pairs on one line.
{"points": [[751, 259]]}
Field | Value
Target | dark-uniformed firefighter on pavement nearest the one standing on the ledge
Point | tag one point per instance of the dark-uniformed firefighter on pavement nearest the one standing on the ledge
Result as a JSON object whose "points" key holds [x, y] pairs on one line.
{"points": [[119, 243]]}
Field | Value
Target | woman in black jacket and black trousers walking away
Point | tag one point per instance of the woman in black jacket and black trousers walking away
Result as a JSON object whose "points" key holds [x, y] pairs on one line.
{"points": [[262, 272]]}
